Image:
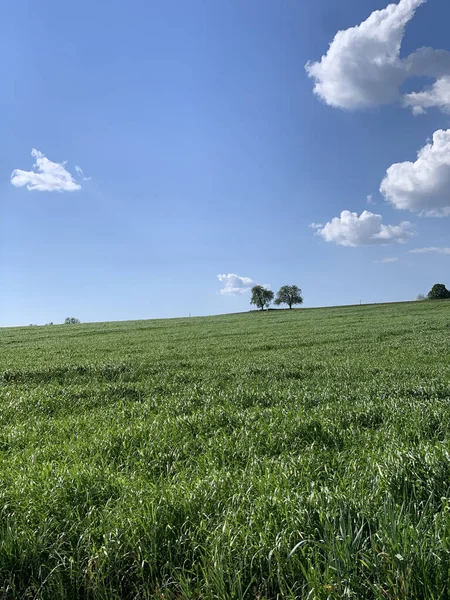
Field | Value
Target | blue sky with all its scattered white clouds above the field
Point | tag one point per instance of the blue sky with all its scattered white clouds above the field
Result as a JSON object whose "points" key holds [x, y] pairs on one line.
{"points": [[204, 150]]}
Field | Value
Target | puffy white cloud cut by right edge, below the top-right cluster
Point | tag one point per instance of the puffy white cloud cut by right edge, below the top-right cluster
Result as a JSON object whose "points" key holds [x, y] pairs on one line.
{"points": [[423, 185]]}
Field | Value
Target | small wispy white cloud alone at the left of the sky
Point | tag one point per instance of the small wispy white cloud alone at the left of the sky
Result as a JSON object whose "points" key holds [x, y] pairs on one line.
{"points": [[46, 176]]}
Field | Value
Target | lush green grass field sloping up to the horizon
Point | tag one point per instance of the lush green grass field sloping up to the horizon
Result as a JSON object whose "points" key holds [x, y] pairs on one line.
{"points": [[284, 454]]}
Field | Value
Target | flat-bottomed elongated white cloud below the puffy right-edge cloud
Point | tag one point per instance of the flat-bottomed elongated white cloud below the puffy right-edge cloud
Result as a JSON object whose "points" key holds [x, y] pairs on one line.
{"points": [[352, 230]]}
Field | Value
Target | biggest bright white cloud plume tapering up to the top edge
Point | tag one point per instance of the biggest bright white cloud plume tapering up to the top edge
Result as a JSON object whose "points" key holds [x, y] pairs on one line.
{"points": [[362, 66]]}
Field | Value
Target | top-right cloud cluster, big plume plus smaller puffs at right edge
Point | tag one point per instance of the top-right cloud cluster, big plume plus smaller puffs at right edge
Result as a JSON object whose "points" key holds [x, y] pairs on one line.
{"points": [[363, 66]]}
